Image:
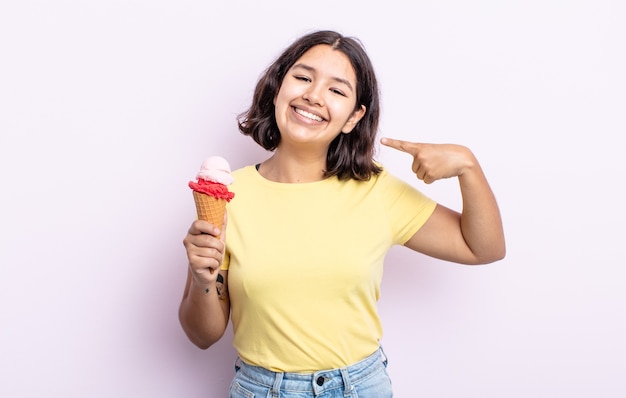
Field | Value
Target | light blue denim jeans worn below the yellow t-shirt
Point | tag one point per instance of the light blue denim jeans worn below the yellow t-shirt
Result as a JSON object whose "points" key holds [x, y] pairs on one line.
{"points": [[365, 379]]}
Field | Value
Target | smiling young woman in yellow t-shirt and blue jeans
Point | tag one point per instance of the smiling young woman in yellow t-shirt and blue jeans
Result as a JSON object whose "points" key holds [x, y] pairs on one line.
{"points": [[309, 228]]}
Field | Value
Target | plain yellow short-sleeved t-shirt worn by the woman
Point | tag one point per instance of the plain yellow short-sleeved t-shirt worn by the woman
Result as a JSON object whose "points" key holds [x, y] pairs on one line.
{"points": [[305, 263]]}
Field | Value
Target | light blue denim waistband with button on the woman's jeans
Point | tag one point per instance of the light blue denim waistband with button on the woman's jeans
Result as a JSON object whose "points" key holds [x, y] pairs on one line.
{"points": [[316, 382]]}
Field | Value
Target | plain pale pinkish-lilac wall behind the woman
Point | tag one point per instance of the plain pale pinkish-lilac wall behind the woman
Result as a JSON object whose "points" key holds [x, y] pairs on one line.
{"points": [[107, 109]]}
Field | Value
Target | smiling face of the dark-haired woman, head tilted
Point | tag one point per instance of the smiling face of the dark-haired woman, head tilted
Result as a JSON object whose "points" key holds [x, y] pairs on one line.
{"points": [[316, 100]]}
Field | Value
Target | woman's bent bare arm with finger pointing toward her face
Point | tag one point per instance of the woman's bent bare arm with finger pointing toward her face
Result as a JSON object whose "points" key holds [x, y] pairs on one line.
{"points": [[474, 236]]}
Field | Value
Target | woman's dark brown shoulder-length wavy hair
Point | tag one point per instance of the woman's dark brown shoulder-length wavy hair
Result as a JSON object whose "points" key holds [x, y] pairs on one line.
{"points": [[350, 156]]}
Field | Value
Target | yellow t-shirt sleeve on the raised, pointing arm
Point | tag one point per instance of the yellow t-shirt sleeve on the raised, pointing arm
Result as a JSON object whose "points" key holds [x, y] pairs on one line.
{"points": [[407, 208]]}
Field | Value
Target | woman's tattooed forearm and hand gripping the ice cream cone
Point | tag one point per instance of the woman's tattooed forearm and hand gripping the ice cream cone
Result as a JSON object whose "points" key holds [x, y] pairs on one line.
{"points": [[205, 307]]}
